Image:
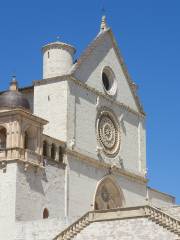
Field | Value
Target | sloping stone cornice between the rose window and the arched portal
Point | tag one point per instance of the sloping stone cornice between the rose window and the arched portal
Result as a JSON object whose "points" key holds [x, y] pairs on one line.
{"points": [[100, 164]]}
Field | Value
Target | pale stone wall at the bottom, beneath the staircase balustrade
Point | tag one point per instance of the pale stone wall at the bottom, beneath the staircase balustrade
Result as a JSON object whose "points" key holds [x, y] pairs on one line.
{"points": [[136, 229]]}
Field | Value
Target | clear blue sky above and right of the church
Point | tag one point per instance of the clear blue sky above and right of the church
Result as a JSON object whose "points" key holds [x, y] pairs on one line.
{"points": [[148, 35]]}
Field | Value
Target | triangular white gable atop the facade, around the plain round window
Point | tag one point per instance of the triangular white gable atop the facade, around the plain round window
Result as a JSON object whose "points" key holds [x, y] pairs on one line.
{"points": [[91, 61]]}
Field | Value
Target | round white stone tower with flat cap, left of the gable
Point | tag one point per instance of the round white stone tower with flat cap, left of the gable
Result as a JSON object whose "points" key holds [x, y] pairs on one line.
{"points": [[57, 59]]}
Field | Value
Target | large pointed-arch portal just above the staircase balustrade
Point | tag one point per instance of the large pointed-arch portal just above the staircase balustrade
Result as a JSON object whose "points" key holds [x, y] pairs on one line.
{"points": [[108, 195]]}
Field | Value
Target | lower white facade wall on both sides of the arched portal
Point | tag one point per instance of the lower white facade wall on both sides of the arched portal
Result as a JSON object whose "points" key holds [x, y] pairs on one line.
{"points": [[83, 181]]}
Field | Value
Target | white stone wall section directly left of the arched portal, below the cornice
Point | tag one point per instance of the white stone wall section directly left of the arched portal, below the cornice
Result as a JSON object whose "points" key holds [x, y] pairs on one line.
{"points": [[82, 185]]}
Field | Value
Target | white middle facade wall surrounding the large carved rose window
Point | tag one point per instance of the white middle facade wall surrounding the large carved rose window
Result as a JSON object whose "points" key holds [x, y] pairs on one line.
{"points": [[82, 116]]}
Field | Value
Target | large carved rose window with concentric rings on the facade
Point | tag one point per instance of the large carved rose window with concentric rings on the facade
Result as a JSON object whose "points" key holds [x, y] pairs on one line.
{"points": [[108, 132]]}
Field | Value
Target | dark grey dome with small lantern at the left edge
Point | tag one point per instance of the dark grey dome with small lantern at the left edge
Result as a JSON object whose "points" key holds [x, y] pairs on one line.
{"points": [[13, 98]]}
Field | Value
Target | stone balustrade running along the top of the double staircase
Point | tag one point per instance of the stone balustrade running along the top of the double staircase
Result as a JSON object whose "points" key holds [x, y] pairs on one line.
{"points": [[152, 213]]}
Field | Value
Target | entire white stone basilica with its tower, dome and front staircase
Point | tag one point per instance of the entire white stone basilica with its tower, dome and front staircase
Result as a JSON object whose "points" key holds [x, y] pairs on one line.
{"points": [[73, 152]]}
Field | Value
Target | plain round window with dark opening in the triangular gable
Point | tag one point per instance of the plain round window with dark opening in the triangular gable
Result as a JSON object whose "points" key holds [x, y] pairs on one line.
{"points": [[109, 81]]}
